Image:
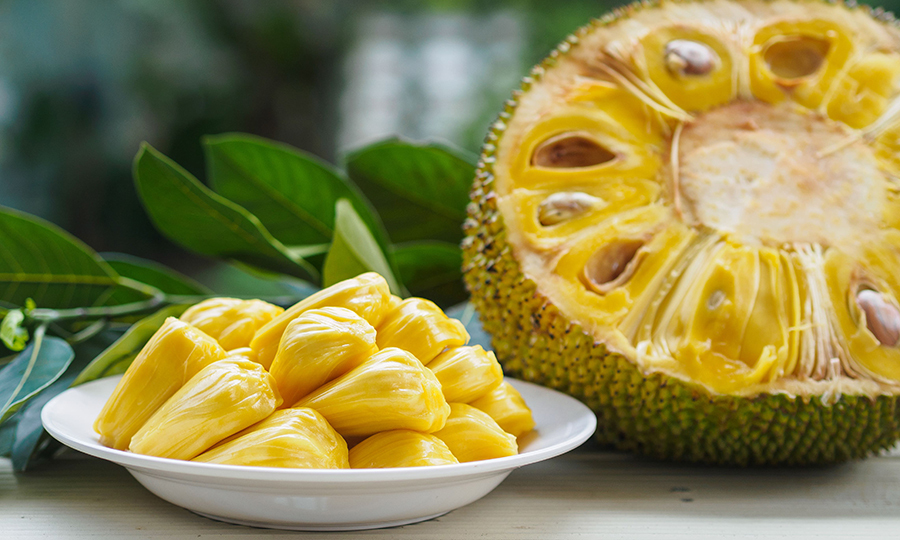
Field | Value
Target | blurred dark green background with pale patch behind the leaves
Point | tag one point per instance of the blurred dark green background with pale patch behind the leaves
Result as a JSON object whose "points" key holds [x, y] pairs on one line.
{"points": [[83, 82]]}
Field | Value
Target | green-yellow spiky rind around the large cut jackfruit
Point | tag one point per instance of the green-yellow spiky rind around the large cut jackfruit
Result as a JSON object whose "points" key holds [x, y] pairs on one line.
{"points": [[651, 414]]}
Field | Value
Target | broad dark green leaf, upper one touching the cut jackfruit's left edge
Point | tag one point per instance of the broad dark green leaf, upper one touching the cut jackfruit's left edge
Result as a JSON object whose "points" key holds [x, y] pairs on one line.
{"points": [[420, 190]]}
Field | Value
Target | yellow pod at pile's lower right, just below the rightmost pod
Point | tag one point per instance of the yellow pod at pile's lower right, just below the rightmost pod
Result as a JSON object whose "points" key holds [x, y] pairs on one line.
{"points": [[472, 435]]}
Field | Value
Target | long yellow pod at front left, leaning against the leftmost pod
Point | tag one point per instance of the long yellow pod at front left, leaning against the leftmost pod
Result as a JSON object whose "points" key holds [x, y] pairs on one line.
{"points": [[222, 399]]}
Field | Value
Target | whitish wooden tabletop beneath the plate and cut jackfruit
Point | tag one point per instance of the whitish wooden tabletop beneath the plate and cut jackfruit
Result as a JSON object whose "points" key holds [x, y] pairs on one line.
{"points": [[585, 494]]}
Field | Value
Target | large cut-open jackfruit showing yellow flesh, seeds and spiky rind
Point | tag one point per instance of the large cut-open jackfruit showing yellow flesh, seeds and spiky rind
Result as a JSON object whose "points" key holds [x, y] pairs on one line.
{"points": [[687, 218]]}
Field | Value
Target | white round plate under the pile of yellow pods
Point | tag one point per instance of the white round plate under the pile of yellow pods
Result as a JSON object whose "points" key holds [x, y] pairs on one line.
{"points": [[305, 499]]}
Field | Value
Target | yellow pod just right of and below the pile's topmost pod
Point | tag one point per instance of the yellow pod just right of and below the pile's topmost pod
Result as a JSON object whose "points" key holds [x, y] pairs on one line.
{"points": [[420, 327]]}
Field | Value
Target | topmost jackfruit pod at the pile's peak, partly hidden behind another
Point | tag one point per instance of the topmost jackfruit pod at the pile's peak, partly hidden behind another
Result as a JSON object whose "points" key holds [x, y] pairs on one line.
{"points": [[366, 295]]}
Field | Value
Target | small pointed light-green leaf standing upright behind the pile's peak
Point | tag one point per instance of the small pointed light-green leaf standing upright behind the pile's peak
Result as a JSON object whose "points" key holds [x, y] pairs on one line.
{"points": [[354, 250]]}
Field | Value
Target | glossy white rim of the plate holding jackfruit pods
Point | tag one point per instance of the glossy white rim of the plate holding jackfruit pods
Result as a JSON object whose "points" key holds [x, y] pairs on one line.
{"points": [[158, 466]]}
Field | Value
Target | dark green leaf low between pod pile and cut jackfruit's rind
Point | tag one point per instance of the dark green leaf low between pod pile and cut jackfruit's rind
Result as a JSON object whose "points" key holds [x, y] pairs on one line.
{"points": [[432, 270]]}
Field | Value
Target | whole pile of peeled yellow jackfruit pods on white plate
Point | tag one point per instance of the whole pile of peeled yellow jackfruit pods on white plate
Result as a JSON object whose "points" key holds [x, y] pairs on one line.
{"points": [[244, 382]]}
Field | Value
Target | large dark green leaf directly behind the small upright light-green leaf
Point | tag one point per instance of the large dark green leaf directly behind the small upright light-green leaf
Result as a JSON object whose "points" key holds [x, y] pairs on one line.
{"points": [[292, 193]]}
